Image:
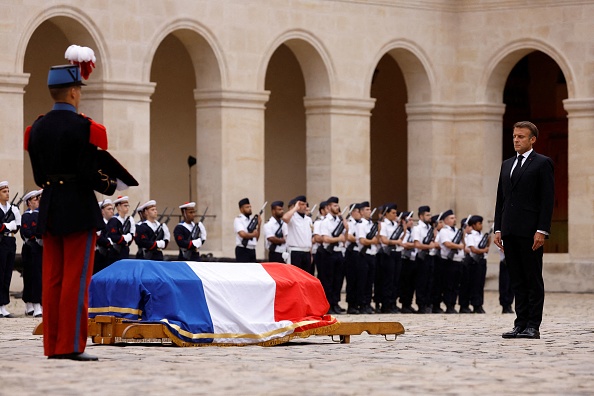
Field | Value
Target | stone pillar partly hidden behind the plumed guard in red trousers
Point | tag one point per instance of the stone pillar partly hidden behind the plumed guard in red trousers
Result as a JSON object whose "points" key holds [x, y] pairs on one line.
{"points": [[124, 109]]}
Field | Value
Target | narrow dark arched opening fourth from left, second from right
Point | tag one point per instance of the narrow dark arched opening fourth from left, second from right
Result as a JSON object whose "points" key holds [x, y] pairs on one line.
{"points": [[389, 154]]}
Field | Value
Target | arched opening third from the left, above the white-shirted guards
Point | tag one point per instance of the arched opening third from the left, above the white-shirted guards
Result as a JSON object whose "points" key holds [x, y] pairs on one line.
{"points": [[285, 127]]}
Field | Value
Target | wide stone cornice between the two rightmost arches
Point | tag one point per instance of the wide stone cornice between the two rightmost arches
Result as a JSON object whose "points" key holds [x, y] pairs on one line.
{"points": [[455, 112]]}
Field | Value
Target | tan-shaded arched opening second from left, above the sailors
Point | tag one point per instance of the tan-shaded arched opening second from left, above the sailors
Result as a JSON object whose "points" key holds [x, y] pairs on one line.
{"points": [[173, 125]]}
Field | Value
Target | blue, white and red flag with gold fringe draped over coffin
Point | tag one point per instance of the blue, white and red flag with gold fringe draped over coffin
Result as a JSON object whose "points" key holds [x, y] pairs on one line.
{"points": [[209, 302]]}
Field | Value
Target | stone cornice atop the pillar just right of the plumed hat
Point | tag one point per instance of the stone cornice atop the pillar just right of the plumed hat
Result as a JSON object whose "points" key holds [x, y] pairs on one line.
{"points": [[119, 90]]}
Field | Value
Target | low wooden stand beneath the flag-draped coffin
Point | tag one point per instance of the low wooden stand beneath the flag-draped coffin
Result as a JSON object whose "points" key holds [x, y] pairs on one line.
{"points": [[111, 330]]}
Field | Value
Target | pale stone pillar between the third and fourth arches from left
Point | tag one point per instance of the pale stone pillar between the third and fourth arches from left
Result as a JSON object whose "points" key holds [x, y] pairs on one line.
{"points": [[338, 148]]}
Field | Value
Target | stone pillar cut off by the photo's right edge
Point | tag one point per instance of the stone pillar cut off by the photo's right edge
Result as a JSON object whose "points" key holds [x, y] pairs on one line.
{"points": [[580, 114]]}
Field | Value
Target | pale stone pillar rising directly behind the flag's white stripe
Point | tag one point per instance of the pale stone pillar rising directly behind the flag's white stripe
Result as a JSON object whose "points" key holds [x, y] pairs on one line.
{"points": [[230, 160]]}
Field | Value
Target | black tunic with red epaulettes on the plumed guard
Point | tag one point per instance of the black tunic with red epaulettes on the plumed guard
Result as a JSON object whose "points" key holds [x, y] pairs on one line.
{"points": [[64, 163]]}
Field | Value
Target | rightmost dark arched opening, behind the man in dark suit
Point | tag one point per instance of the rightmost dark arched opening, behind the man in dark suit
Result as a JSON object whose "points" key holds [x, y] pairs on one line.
{"points": [[534, 91]]}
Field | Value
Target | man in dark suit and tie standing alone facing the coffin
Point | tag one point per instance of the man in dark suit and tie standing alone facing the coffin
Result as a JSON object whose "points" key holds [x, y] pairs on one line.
{"points": [[523, 212]]}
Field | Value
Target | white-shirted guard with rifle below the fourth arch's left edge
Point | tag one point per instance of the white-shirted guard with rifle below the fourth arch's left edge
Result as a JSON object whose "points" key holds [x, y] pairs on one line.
{"points": [[367, 240]]}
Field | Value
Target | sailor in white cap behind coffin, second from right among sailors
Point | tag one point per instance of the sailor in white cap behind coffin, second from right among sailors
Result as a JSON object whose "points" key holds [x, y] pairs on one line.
{"points": [[151, 236]]}
